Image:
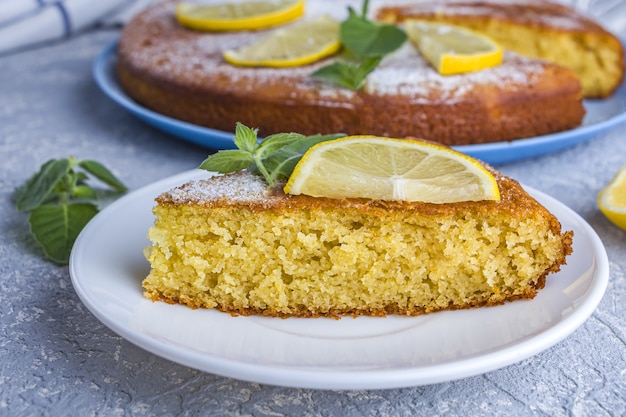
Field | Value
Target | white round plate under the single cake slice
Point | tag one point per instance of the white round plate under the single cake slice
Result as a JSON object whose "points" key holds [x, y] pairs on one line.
{"points": [[107, 267]]}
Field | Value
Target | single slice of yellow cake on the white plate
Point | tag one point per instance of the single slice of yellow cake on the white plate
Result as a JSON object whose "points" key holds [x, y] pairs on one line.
{"points": [[233, 243]]}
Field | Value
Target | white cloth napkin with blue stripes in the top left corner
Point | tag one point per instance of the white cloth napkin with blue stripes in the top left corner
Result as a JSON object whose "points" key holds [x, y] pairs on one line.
{"points": [[25, 23]]}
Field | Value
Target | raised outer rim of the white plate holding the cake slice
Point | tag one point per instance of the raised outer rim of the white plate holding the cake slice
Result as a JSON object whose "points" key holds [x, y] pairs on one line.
{"points": [[344, 379]]}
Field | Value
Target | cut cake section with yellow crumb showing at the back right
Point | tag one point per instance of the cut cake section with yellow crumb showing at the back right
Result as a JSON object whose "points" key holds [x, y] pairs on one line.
{"points": [[540, 29]]}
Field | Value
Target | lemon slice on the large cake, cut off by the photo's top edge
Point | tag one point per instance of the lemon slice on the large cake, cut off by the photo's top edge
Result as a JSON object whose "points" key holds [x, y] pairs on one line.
{"points": [[238, 15]]}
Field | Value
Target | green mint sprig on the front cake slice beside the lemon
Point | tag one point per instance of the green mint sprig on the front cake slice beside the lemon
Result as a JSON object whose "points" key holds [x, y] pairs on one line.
{"points": [[274, 157]]}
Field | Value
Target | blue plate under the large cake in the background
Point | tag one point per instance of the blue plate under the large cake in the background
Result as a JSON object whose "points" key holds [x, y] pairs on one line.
{"points": [[494, 153]]}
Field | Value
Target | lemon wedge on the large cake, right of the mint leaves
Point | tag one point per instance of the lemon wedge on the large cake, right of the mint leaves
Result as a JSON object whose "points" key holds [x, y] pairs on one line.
{"points": [[452, 49]]}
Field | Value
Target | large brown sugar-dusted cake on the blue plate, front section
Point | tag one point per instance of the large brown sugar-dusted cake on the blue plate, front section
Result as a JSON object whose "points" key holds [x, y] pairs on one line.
{"points": [[181, 73]]}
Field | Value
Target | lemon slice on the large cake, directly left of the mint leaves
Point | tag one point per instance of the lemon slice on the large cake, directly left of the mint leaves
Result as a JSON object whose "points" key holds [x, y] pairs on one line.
{"points": [[290, 46]]}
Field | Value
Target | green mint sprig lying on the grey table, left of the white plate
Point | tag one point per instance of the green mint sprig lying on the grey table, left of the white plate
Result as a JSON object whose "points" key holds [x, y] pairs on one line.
{"points": [[61, 202]]}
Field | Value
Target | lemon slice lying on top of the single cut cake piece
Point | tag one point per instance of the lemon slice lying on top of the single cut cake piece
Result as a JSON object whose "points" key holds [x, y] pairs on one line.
{"points": [[391, 169]]}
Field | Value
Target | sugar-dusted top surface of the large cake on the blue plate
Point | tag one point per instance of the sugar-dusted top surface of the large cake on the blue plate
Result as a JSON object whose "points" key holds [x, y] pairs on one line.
{"points": [[156, 44]]}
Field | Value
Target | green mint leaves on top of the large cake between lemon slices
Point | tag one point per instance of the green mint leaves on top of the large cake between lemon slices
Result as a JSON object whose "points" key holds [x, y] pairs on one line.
{"points": [[365, 44]]}
